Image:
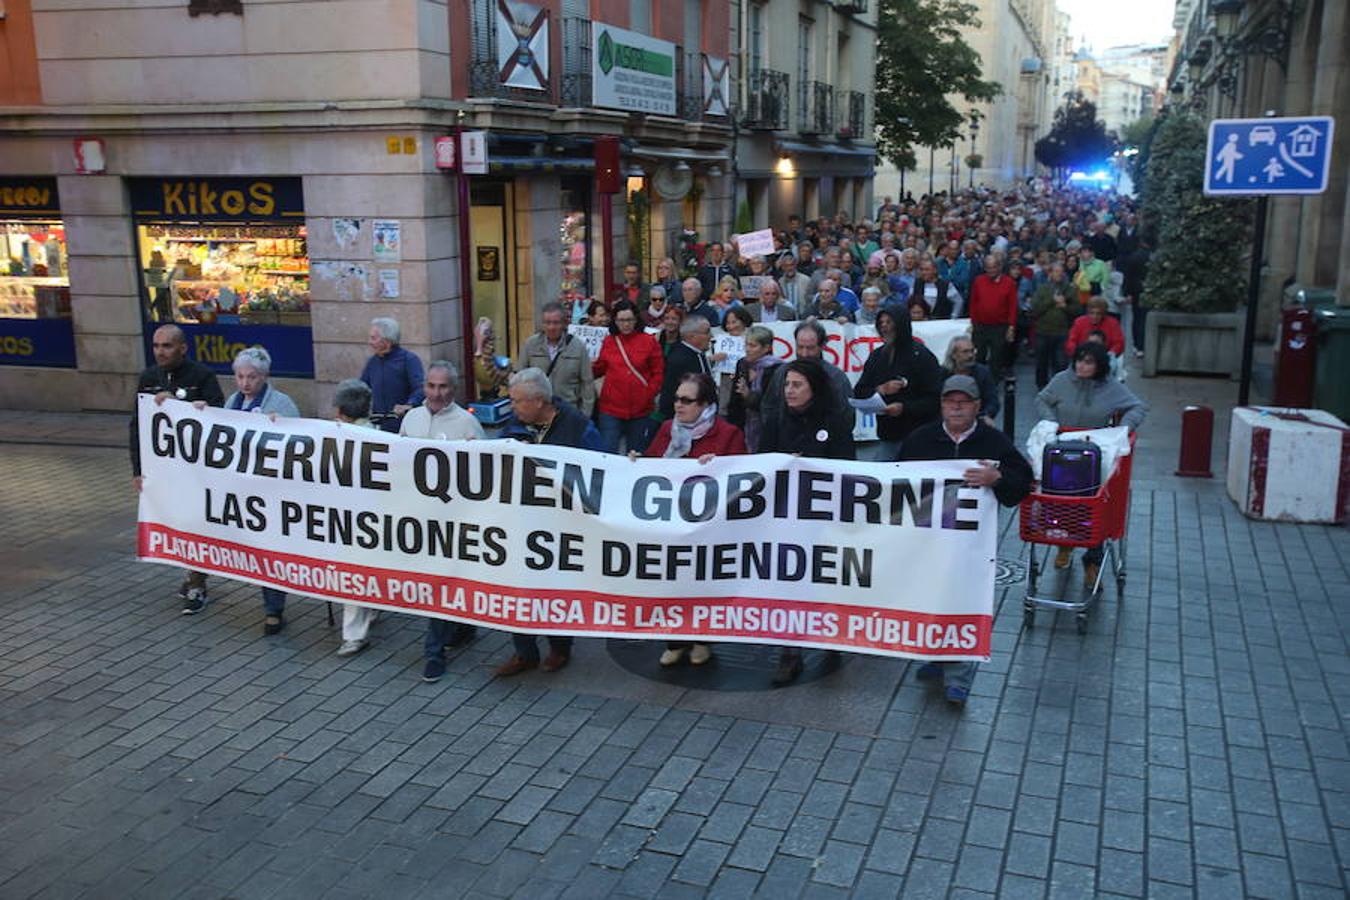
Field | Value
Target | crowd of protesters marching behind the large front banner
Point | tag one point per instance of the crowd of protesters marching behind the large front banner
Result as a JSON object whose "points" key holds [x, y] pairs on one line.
{"points": [[1046, 273]]}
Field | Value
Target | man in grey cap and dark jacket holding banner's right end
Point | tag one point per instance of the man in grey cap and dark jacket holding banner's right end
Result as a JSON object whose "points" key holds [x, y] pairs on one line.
{"points": [[962, 435]]}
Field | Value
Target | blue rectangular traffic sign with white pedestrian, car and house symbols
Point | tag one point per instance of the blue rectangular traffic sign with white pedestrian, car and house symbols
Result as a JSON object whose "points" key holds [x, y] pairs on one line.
{"points": [[1268, 156]]}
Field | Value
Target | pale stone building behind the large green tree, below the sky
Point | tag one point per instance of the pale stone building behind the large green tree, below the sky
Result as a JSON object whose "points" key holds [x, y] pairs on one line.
{"points": [[1019, 43]]}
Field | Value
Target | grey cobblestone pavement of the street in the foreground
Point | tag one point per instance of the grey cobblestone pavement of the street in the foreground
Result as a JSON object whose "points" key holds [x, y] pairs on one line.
{"points": [[1191, 744]]}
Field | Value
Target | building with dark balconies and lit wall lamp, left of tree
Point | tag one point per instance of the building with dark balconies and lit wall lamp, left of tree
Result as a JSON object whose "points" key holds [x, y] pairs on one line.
{"points": [[805, 140]]}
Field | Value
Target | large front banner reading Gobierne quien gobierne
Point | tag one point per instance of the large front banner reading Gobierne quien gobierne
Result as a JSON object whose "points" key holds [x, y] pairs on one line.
{"points": [[892, 559]]}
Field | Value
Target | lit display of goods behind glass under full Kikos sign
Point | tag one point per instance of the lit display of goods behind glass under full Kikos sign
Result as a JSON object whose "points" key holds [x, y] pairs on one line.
{"points": [[245, 275]]}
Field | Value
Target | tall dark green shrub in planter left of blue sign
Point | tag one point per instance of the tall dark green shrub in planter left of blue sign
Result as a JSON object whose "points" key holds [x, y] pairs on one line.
{"points": [[1201, 242]]}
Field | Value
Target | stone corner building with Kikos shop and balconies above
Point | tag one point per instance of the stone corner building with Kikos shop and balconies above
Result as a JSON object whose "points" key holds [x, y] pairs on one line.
{"points": [[268, 172]]}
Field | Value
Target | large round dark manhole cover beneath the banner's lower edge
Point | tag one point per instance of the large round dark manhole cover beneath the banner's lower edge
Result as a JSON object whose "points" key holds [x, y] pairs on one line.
{"points": [[735, 667]]}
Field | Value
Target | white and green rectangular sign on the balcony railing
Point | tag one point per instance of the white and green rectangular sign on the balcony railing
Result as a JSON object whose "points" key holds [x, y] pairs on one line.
{"points": [[632, 72]]}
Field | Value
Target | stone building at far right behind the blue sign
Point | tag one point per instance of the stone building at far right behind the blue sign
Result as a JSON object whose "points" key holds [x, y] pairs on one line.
{"points": [[1291, 60]]}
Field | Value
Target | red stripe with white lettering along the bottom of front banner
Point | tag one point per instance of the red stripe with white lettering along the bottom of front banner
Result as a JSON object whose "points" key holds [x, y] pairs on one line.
{"points": [[869, 629]]}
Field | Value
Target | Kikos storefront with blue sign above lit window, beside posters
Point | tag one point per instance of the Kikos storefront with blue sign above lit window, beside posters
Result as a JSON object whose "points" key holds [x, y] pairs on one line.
{"points": [[227, 261]]}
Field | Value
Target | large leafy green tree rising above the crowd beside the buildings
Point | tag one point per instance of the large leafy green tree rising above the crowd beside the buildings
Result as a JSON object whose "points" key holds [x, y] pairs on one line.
{"points": [[921, 63]]}
